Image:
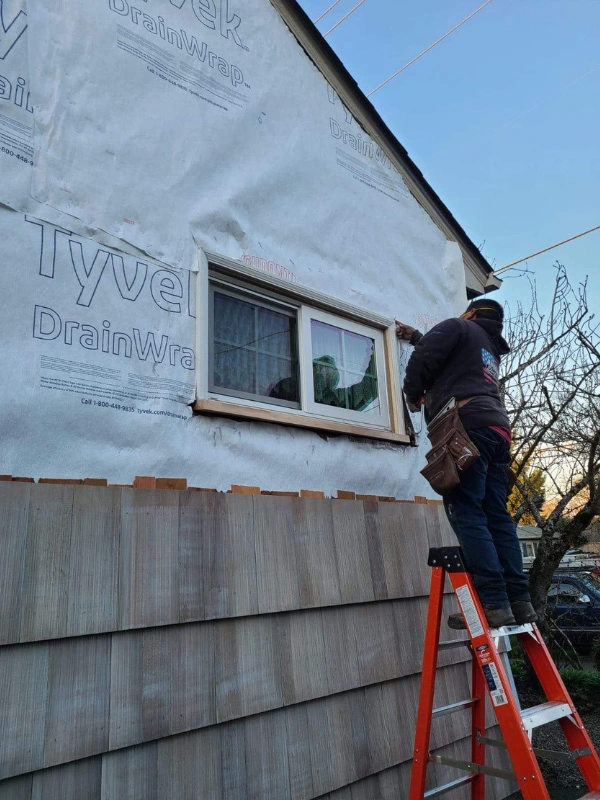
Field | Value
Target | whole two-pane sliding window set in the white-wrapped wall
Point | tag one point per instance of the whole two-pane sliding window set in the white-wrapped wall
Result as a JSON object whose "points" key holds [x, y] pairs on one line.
{"points": [[280, 356]]}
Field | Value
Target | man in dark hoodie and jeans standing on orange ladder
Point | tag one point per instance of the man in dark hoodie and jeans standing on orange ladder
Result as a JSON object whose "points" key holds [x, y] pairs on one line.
{"points": [[459, 360]]}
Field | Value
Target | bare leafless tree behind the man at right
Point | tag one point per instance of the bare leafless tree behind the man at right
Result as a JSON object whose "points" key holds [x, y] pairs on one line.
{"points": [[551, 391]]}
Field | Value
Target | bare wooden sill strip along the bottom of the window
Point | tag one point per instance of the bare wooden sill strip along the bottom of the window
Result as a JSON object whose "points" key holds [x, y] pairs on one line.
{"points": [[222, 408]]}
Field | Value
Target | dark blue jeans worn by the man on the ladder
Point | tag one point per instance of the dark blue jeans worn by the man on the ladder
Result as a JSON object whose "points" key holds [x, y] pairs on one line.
{"points": [[484, 528]]}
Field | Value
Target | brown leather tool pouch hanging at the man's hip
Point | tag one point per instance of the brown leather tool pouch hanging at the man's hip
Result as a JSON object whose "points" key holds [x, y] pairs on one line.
{"points": [[451, 452]]}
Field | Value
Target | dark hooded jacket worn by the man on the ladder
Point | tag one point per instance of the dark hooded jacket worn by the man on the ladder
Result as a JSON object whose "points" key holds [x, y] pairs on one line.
{"points": [[459, 358]]}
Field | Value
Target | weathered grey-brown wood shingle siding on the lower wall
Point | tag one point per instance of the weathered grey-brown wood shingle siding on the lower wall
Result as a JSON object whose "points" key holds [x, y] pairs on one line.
{"points": [[160, 644]]}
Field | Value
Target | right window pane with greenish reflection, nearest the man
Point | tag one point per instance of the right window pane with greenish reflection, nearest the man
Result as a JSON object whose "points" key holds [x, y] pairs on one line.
{"points": [[344, 368]]}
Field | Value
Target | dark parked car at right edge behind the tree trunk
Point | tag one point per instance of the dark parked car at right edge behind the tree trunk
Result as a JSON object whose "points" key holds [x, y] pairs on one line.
{"points": [[574, 604]]}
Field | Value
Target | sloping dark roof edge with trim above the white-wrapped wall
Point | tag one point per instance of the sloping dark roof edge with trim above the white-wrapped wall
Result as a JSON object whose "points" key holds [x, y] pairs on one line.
{"points": [[478, 270]]}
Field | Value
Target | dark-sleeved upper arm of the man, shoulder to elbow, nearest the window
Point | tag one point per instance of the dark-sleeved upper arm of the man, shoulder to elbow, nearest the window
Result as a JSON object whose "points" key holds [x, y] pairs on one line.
{"points": [[430, 356]]}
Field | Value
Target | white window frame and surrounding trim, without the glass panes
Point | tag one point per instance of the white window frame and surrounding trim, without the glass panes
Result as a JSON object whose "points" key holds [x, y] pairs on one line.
{"points": [[239, 278]]}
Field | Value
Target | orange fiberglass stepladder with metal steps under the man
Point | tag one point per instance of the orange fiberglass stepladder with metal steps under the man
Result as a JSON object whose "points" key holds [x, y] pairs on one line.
{"points": [[489, 674]]}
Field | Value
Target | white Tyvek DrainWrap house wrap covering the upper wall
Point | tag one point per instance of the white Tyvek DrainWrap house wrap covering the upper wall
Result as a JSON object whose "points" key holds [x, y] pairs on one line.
{"points": [[135, 176]]}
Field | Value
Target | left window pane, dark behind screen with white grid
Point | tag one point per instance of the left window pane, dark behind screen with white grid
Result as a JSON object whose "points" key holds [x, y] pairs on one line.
{"points": [[254, 349]]}
